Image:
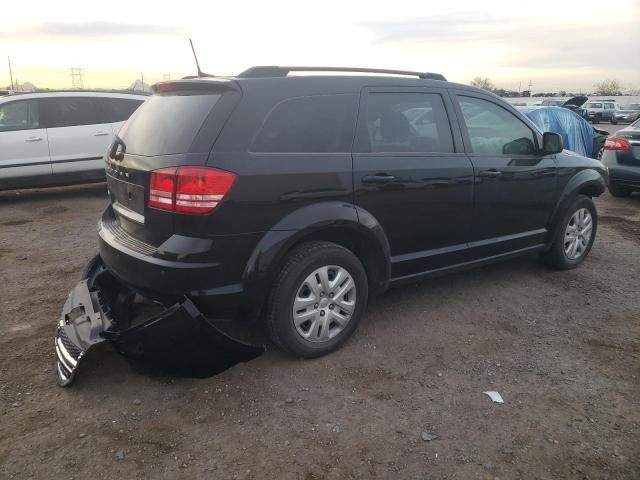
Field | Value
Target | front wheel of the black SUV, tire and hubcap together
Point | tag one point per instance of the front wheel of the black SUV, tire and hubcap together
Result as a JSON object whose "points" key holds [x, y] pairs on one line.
{"points": [[574, 234]]}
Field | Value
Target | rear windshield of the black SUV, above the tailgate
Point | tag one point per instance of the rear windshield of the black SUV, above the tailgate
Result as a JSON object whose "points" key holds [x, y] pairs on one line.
{"points": [[166, 124]]}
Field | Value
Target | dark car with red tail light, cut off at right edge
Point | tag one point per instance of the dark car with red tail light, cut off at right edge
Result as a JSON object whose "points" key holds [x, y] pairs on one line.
{"points": [[622, 157]]}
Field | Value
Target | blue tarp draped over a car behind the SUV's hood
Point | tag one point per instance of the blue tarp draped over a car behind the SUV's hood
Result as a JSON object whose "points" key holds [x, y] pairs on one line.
{"points": [[577, 134]]}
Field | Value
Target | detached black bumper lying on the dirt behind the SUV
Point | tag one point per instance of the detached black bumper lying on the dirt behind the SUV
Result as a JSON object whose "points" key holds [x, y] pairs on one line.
{"points": [[178, 338]]}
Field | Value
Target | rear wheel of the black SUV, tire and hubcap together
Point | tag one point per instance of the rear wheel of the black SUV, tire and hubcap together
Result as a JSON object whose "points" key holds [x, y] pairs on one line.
{"points": [[317, 300]]}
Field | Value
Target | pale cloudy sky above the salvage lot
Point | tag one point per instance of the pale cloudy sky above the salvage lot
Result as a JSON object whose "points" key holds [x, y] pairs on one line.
{"points": [[556, 44]]}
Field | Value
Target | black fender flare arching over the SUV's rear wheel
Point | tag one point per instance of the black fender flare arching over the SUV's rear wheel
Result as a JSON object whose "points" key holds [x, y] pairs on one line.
{"points": [[308, 222]]}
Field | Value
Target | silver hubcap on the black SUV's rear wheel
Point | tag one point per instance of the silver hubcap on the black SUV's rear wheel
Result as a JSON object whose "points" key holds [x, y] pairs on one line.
{"points": [[324, 303]]}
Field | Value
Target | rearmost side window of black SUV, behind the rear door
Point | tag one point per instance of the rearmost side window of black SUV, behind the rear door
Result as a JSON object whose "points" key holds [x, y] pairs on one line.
{"points": [[316, 124]]}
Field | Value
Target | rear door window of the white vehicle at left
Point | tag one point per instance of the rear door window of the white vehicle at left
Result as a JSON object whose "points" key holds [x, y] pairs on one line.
{"points": [[69, 112]]}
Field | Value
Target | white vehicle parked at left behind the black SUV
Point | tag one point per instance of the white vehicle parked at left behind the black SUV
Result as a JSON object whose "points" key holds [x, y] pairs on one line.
{"points": [[59, 138]]}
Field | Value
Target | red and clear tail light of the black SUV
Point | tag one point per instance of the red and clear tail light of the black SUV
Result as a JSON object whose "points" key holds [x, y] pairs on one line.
{"points": [[188, 189]]}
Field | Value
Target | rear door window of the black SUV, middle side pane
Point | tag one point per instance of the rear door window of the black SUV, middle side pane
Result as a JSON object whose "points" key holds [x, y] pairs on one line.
{"points": [[404, 122]]}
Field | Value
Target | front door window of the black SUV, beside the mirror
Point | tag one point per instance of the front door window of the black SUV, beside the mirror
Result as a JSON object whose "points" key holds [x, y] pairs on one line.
{"points": [[494, 130]]}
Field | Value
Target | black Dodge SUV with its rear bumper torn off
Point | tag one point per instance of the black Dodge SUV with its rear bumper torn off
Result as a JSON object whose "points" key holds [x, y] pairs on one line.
{"points": [[300, 196]]}
